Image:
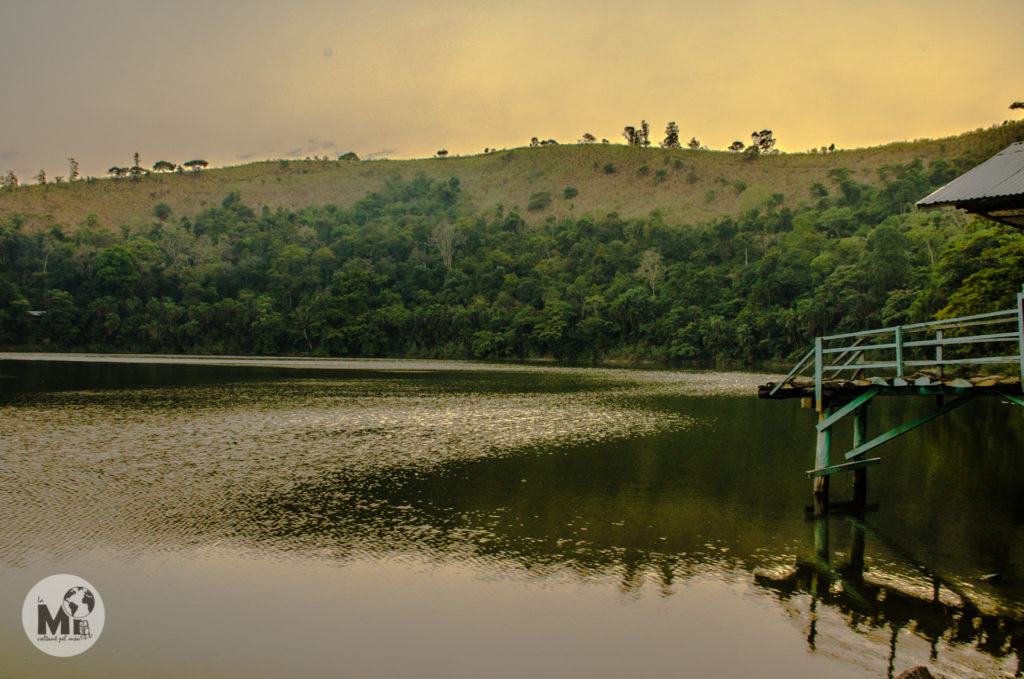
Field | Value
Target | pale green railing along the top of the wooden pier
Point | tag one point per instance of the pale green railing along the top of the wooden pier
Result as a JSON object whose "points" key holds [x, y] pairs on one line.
{"points": [[923, 346]]}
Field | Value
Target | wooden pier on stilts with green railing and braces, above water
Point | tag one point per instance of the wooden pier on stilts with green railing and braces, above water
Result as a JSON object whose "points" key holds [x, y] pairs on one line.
{"points": [[948, 360]]}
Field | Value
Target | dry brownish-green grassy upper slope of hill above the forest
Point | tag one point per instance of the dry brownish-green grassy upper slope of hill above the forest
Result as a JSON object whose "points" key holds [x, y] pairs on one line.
{"points": [[688, 187]]}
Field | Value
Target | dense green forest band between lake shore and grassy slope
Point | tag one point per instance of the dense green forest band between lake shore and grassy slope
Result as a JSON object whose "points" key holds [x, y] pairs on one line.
{"points": [[410, 271]]}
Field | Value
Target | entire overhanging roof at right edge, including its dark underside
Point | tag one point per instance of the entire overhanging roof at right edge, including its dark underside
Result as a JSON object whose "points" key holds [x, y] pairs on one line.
{"points": [[995, 189]]}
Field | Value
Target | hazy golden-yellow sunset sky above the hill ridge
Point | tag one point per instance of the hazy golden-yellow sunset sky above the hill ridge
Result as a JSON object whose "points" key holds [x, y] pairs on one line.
{"points": [[236, 81]]}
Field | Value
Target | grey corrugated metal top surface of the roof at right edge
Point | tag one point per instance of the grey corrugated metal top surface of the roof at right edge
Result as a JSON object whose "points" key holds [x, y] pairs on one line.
{"points": [[1001, 178]]}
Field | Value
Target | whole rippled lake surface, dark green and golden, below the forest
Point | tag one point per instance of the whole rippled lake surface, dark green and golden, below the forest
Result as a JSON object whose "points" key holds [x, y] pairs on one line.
{"points": [[249, 519]]}
